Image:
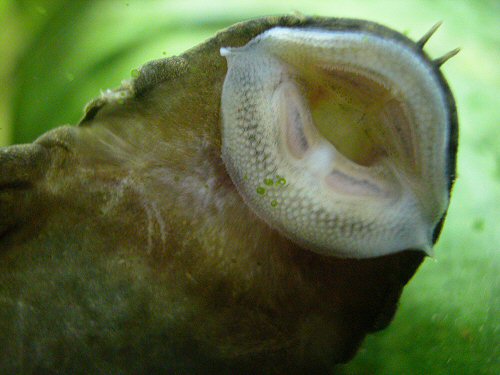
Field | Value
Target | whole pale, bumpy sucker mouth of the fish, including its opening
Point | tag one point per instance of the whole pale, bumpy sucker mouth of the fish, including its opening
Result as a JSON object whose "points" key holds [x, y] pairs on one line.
{"points": [[357, 124]]}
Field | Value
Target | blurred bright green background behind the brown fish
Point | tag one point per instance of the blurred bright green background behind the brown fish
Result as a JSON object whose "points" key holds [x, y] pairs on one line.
{"points": [[57, 55]]}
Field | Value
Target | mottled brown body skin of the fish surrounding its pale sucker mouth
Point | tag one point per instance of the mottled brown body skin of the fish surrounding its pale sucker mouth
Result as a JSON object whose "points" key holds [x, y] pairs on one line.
{"points": [[125, 248]]}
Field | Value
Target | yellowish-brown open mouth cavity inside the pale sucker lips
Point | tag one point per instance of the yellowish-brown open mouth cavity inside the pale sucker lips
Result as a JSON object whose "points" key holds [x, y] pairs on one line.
{"points": [[363, 119]]}
